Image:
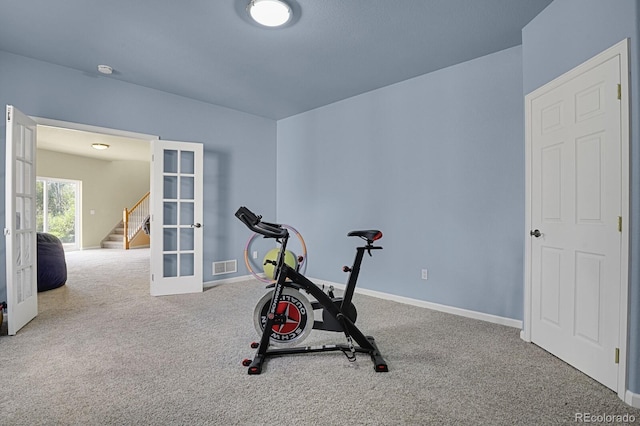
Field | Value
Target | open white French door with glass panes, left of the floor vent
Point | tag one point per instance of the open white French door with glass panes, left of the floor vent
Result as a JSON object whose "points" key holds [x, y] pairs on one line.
{"points": [[176, 217]]}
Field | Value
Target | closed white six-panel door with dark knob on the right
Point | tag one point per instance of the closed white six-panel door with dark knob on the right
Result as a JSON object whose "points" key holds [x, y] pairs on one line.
{"points": [[576, 203]]}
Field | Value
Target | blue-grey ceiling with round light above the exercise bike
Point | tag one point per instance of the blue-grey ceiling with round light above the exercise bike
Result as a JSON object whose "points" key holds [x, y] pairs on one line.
{"points": [[209, 50]]}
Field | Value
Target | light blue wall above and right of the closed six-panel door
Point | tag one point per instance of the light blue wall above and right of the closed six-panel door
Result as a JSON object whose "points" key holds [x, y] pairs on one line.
{"points": [[565, 34]]}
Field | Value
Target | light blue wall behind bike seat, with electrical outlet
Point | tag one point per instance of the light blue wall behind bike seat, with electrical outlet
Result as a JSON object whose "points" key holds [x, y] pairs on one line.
{"points": [[437, 164]]}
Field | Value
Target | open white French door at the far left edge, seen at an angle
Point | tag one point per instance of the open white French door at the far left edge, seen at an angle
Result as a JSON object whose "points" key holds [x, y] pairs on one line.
{"points": [[20, 212]]}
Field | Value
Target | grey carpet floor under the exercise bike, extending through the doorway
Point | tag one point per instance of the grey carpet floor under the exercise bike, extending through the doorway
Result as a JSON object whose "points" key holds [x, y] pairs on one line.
{"points": [[104, 352]]}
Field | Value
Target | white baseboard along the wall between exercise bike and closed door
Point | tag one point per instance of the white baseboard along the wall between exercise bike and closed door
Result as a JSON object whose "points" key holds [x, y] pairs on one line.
{"points": [[429, 305]]}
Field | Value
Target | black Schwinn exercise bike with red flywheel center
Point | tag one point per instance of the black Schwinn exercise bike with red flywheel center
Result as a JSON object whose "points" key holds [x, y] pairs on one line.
{"points": [[285, 316]]}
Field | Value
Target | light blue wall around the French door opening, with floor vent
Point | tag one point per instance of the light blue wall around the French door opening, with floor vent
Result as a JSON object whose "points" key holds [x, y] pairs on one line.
{"points": [[239, 149]]}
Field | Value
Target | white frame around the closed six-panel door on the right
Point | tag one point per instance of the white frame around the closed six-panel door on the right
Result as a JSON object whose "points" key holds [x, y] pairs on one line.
{"points": [[621, 49]]}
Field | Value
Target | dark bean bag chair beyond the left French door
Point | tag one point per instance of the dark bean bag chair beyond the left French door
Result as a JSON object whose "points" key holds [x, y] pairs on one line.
{"points": [[52, 267]]}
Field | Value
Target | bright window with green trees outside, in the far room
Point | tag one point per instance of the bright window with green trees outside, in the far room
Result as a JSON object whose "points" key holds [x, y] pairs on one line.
{"points": [[57, 207]]}
